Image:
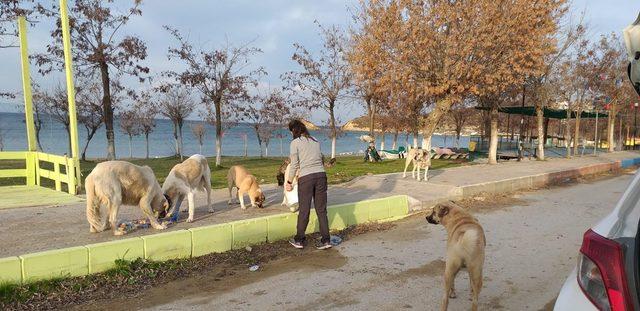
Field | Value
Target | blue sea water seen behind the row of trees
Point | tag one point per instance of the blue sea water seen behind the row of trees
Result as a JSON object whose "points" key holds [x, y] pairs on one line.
{"points": [[54, 139]]}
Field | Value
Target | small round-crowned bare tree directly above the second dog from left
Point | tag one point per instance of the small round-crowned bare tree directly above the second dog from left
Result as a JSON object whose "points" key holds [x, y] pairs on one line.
{"points": [[176, 104]]}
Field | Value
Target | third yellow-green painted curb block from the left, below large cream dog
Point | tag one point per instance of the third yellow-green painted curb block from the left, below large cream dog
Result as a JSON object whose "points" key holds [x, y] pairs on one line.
{"points": [[102, 256]]}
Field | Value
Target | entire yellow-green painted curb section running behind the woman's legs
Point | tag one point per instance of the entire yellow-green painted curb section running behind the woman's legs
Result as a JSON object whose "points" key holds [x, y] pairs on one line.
{"points": [[193, 242]]}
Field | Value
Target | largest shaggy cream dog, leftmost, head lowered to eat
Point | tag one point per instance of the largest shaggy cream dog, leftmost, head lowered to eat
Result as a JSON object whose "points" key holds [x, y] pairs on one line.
{"points": [[114, 183]]}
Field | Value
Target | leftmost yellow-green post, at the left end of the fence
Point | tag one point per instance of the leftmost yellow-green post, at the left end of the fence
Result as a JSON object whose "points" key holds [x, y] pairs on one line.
{"points": [[28, 103]]}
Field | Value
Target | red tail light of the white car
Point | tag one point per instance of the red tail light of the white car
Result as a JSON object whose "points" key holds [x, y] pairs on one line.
{"points": [[601, 273]]}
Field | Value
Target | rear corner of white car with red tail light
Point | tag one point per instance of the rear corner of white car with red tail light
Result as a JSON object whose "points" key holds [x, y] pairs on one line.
{"points": [[607, 276]]}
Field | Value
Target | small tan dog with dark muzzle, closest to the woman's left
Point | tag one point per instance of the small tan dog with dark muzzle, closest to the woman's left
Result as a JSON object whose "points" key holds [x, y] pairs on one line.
{"points": [[246, 183]]}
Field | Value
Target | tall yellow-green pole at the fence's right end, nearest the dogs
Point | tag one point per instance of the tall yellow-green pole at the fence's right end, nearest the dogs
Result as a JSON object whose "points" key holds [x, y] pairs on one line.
{"points": [[71, 97]]}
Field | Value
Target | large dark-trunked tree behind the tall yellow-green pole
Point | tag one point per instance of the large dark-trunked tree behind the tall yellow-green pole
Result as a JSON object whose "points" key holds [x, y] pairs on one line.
{"points": [[99, 48]]}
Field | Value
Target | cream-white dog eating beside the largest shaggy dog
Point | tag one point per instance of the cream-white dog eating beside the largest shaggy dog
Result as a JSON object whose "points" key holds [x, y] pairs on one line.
{"points": [[184, 180]]}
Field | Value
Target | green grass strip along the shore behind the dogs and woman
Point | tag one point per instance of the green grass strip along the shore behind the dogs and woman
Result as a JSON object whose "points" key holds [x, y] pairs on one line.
{"points": [[346, 168]]}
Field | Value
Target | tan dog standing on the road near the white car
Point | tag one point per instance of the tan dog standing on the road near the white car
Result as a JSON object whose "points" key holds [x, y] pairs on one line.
{"points": [[465, 248]]}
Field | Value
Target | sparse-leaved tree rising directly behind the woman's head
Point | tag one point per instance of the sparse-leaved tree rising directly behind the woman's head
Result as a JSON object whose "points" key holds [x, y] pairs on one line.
{"points": [[324, 79]]}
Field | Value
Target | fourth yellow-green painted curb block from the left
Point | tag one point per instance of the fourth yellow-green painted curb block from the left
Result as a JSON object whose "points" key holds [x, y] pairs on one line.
{"points": [[167, 245]]}
